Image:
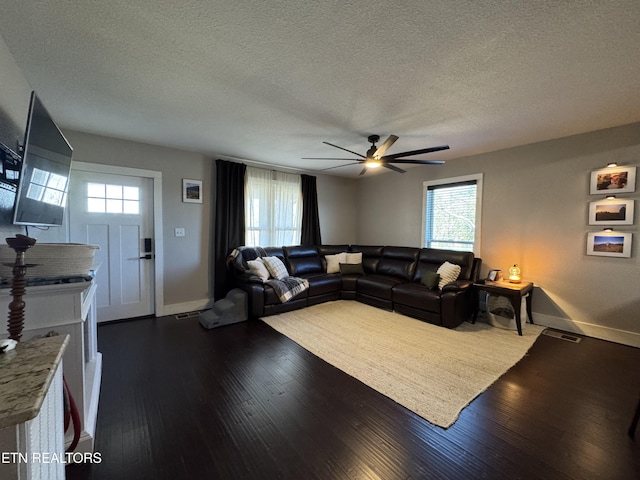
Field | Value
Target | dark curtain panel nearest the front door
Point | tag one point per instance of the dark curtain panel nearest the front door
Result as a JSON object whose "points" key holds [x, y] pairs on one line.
{"points": [[229, 220]]}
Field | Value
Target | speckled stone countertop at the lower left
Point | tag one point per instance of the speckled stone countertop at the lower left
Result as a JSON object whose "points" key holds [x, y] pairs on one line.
{"points": [[25, 375]]}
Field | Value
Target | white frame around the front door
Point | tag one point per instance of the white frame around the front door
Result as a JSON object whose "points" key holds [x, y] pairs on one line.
{"points": [[156, 178]]}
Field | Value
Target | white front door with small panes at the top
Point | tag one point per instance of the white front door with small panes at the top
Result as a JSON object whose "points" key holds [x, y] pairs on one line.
{"points": [[115, 212]]}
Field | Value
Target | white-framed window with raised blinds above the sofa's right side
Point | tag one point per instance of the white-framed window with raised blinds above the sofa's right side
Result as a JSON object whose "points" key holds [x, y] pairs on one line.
{"points": [[451, 213]]}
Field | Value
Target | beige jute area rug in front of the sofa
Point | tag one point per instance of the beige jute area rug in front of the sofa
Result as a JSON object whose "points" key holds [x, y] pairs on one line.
{"points": [[433, 371]]}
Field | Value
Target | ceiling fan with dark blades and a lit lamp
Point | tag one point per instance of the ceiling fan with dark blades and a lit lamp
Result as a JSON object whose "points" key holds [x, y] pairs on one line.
{"points": [[376, 157]]}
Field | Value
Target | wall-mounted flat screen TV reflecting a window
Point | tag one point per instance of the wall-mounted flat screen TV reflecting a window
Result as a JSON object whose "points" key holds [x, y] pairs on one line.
{"points": [[44, 175]]}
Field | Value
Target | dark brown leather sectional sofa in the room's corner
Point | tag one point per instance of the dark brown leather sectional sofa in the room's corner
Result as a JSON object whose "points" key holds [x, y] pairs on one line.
{"points": [[391, 280]]}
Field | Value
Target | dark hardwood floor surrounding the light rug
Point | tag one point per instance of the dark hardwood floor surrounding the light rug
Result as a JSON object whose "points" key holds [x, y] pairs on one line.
{"points": [[244, 402]]}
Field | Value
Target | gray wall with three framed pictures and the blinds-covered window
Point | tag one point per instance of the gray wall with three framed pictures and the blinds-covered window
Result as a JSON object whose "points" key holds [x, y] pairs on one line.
{"points": [[535, 213]]}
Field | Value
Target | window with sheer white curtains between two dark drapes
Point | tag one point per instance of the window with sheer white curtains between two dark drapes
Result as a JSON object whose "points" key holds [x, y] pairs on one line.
{"points": [[273, 208]]}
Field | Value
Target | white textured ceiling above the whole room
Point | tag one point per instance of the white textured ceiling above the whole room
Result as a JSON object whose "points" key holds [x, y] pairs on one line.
{"points": [[268, 81]]}
